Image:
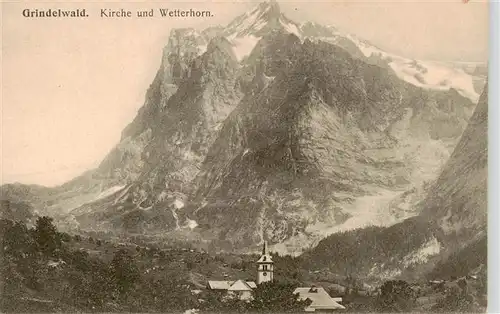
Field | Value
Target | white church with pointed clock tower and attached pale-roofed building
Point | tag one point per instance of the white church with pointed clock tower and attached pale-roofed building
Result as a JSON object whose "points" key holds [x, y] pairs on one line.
{"points": [[243, 288]]}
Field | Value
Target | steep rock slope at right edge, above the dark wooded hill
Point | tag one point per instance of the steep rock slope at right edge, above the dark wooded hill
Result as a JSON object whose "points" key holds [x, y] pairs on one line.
{"points": [[458, 199]]}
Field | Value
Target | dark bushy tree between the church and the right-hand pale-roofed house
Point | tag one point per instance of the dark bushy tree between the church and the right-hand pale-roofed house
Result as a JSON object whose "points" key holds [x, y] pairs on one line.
{"points": [[277, 297]]}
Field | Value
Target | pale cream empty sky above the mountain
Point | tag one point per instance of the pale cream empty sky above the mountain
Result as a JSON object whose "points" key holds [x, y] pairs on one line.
{"points": [[70, 86]]}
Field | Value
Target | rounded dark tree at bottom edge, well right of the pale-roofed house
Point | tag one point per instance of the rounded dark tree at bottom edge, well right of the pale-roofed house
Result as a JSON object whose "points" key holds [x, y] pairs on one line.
{"points": [[396, 296]]}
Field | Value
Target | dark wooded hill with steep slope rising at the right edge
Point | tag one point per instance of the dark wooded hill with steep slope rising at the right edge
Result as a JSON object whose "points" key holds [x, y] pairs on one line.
{"points": [[448, 237]]}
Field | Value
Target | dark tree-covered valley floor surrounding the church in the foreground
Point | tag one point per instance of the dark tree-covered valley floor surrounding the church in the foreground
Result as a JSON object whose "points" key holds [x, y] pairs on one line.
{"points": [[44, 270]]}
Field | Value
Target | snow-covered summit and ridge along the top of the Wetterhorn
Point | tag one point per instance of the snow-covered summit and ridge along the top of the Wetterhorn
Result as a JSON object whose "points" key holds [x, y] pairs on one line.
{"points": [[245, 31]]}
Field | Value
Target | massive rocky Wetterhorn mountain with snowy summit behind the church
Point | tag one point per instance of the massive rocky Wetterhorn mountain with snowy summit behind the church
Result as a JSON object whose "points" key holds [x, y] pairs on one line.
{"points": [[271, 129]]}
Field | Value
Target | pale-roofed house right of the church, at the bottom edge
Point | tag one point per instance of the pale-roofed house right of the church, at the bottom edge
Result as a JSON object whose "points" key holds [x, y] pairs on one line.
{"points": [[321, 300]]}
